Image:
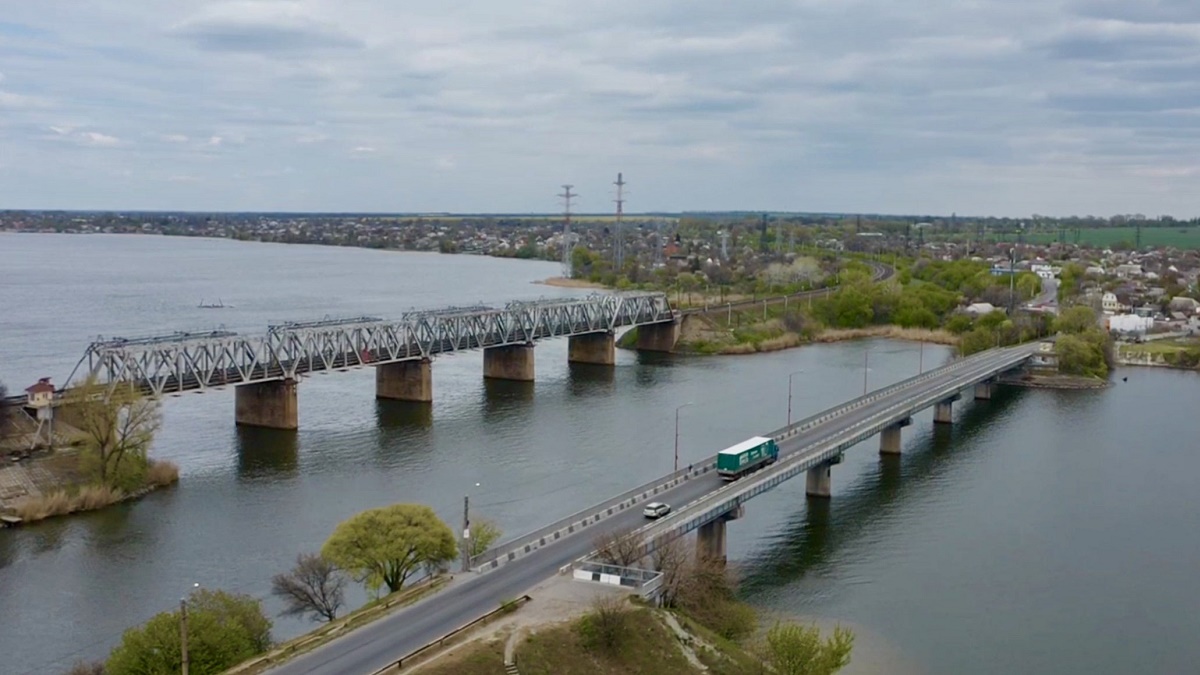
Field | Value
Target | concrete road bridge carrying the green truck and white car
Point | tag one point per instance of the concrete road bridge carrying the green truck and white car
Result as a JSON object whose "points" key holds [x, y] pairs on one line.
{"points": [[704, 504]]}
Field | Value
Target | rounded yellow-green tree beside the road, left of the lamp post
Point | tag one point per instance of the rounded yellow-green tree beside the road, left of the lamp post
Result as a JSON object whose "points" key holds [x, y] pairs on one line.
{"points": [[385, 547]]}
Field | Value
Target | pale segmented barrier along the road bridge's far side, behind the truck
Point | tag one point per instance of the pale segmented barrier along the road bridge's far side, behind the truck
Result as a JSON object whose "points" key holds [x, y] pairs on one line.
{"points": [[523, 546]]}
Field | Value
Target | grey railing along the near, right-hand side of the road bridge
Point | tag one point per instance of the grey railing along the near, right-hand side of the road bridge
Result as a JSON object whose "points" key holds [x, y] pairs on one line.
{"points": [[733, 495]]}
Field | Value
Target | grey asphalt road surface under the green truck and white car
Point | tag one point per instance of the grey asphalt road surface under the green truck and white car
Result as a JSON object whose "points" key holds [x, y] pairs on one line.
{"points": [[381, 643]]}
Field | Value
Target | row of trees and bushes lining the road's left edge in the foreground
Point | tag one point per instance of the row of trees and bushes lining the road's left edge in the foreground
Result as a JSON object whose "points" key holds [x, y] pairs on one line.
{"points": [[381, 548]]}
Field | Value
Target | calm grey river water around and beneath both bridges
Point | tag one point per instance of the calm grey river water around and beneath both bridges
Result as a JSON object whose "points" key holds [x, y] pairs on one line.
{"points": [[1046, 533]]}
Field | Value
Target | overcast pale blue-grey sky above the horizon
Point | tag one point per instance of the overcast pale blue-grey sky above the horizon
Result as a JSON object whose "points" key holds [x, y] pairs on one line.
{"points": [[977, 107]]}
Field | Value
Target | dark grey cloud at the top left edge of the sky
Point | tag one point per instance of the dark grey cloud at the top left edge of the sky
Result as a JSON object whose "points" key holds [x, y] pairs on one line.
{"points": [[263, 28]]}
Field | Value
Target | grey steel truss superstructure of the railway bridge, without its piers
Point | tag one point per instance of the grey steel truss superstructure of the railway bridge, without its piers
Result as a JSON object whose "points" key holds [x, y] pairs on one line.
{"points": [[184, 362]]}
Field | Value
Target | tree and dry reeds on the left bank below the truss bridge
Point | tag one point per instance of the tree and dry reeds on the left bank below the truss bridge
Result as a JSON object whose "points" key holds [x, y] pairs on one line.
{"points": [[112, 463]]}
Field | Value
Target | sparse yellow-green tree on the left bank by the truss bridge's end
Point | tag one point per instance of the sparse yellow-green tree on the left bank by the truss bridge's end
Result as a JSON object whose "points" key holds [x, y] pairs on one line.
{"points": [[118, 427]]}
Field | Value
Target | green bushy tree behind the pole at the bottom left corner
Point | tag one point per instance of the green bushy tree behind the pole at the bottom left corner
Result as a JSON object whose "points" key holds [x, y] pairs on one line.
{"points": [[224, 630]]}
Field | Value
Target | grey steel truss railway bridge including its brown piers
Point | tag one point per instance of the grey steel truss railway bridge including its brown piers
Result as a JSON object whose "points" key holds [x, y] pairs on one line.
{"points": [[266, 369]]}
